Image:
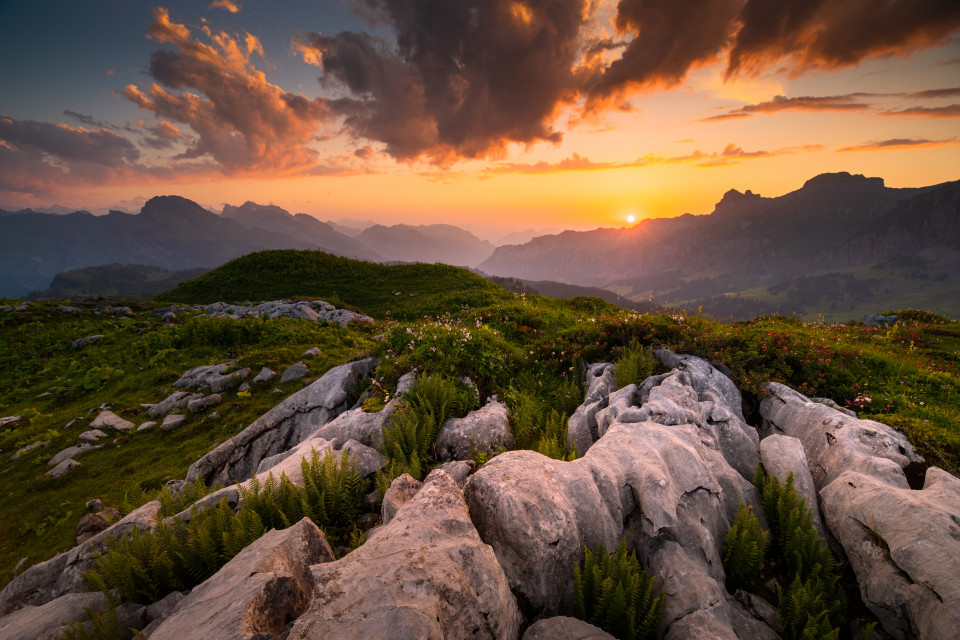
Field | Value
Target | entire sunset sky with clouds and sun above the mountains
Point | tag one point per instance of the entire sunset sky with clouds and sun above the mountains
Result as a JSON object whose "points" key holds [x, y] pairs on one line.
{"points": [[496, 115]]}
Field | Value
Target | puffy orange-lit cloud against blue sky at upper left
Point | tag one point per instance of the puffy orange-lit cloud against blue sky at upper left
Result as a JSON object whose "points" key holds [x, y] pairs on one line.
{"points": [[243, 122]]}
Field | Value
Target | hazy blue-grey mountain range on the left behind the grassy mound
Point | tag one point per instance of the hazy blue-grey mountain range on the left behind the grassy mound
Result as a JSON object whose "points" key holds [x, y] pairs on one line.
{"points": [[174, 233]]}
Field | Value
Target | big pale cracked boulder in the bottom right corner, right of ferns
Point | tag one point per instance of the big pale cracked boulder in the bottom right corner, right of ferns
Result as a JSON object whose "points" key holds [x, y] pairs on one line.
{"points": [[904, 547]]}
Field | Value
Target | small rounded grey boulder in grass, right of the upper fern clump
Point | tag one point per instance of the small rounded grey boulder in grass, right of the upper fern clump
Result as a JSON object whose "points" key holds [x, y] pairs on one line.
{"points": [[484, 431]]}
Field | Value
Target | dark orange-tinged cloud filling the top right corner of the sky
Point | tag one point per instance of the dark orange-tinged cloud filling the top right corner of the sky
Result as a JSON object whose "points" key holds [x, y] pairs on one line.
{"points": [[830, 34]]}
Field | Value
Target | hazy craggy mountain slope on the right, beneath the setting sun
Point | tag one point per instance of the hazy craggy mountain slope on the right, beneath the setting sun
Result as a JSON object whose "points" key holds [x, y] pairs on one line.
{"points": [[834, 223]]}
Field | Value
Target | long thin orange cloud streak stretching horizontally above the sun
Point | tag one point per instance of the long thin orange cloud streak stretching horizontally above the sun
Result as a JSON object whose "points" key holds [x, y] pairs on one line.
{"points": [[731, 154]]}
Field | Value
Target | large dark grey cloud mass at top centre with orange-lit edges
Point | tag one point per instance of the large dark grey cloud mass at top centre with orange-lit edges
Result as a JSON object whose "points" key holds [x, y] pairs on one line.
{"points": [[464, 78]]}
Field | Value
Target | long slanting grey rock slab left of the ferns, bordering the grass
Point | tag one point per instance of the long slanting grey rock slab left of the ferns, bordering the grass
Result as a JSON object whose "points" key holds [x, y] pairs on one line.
{"points": [[283, 427]]}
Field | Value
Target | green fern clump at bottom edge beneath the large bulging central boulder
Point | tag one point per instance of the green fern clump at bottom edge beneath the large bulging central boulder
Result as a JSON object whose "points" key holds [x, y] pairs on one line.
{"points": [[616, 594]]}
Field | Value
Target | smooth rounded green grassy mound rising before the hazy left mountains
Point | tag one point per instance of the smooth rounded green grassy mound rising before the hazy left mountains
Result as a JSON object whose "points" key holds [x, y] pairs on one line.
{"points": [[368, 286]]}
